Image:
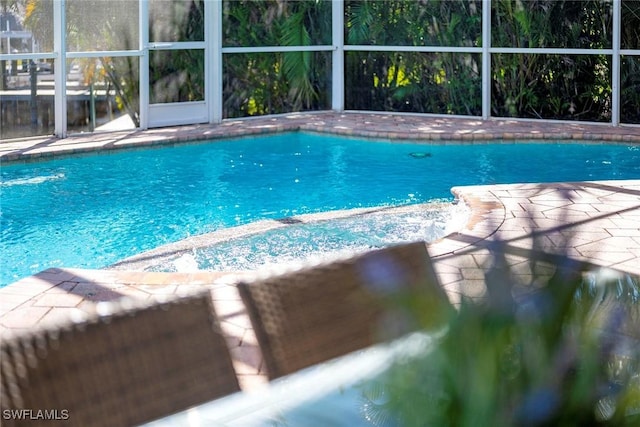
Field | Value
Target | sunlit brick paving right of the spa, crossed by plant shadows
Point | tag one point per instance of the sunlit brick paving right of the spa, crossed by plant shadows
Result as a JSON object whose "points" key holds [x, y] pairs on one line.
{"points": [[595, 223]]}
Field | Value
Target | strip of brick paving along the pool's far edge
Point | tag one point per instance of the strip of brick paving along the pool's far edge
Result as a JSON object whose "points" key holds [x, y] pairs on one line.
{"points": [[381, 126]]}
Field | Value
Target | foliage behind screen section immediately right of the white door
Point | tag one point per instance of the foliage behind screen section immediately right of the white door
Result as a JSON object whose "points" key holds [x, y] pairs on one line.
{"points": [[257, 84]]}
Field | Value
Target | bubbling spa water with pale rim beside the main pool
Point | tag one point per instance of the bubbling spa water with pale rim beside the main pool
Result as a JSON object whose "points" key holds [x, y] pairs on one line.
{"points": [[307, 237]]}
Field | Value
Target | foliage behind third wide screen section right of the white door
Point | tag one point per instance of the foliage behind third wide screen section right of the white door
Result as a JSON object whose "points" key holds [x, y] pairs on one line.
{"points": [[570, 87]]}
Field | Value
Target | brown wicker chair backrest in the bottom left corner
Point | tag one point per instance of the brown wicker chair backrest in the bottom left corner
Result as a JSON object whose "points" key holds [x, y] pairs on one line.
{"points": [[140, 362]]}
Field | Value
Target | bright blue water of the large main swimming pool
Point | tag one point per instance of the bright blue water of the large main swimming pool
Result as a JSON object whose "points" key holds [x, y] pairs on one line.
{"points": [[92, 211]]}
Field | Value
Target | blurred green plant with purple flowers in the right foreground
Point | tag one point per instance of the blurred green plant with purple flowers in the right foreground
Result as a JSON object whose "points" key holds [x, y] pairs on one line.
{"points": [[566, 354]]}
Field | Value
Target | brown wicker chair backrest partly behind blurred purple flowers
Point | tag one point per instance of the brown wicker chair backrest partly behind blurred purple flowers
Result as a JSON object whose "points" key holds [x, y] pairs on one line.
{"points": [[319, 312]]}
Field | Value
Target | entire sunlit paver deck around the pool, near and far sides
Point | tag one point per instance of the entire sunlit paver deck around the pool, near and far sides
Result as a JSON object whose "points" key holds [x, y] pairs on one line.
{"points": [[594, 222]]}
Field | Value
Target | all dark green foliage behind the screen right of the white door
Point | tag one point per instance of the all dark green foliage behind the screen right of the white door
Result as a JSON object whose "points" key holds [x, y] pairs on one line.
{"points": [[570, 87]]}
